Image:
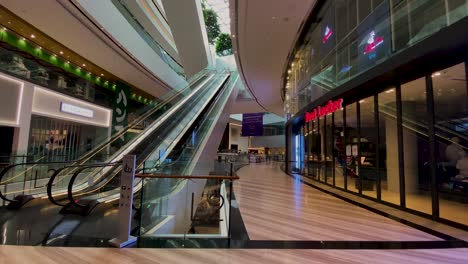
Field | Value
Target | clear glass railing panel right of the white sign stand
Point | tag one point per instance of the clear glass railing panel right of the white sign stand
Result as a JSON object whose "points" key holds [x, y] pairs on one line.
{"points": [[185, 212]]}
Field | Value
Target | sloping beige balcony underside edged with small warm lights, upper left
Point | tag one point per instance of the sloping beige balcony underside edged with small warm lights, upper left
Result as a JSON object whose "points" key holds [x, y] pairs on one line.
{"points": [[61, 25]]}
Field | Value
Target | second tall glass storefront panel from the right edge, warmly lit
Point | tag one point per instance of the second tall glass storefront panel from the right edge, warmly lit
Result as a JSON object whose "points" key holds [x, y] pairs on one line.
{"points": [[416, 146]]}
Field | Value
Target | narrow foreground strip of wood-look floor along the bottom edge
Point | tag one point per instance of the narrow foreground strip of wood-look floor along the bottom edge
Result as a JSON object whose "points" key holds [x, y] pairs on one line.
{"points": [[54, 255]]}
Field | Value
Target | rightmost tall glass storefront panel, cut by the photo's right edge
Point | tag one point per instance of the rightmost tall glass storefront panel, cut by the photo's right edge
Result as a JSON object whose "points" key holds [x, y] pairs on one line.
{"points": [[451, 123]]}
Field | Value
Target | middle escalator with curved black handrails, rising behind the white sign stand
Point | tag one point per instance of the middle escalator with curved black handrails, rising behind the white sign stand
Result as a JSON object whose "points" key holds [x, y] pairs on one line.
{"points": [[97, 184]]}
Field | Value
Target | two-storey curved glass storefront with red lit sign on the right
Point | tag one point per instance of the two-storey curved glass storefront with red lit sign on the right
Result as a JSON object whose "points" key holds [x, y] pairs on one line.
{"points": [[379, 107]]}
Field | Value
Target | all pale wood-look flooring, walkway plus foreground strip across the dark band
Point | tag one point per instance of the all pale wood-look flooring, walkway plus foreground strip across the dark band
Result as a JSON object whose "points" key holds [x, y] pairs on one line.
{"points": [[274, 207]]}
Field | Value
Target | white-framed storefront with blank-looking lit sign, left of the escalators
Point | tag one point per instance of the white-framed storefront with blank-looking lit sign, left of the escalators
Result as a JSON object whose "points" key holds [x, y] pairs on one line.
{"points": [[44, 125]]}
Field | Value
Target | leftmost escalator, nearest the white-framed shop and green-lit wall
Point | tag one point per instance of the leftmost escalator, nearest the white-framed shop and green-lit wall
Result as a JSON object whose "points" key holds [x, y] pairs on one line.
{"points": [[29, 180]]}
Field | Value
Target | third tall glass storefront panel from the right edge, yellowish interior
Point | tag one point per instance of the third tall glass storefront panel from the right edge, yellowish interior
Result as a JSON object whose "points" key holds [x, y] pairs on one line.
{"points": [[388, 147]]}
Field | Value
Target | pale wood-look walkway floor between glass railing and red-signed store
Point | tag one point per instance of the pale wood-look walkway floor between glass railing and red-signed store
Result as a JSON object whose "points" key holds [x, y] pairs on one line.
{"points": [[274, 206]]}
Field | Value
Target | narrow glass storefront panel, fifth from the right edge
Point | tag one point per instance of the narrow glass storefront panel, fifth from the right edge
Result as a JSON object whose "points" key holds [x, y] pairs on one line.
{"points": [[352, 147]]}
